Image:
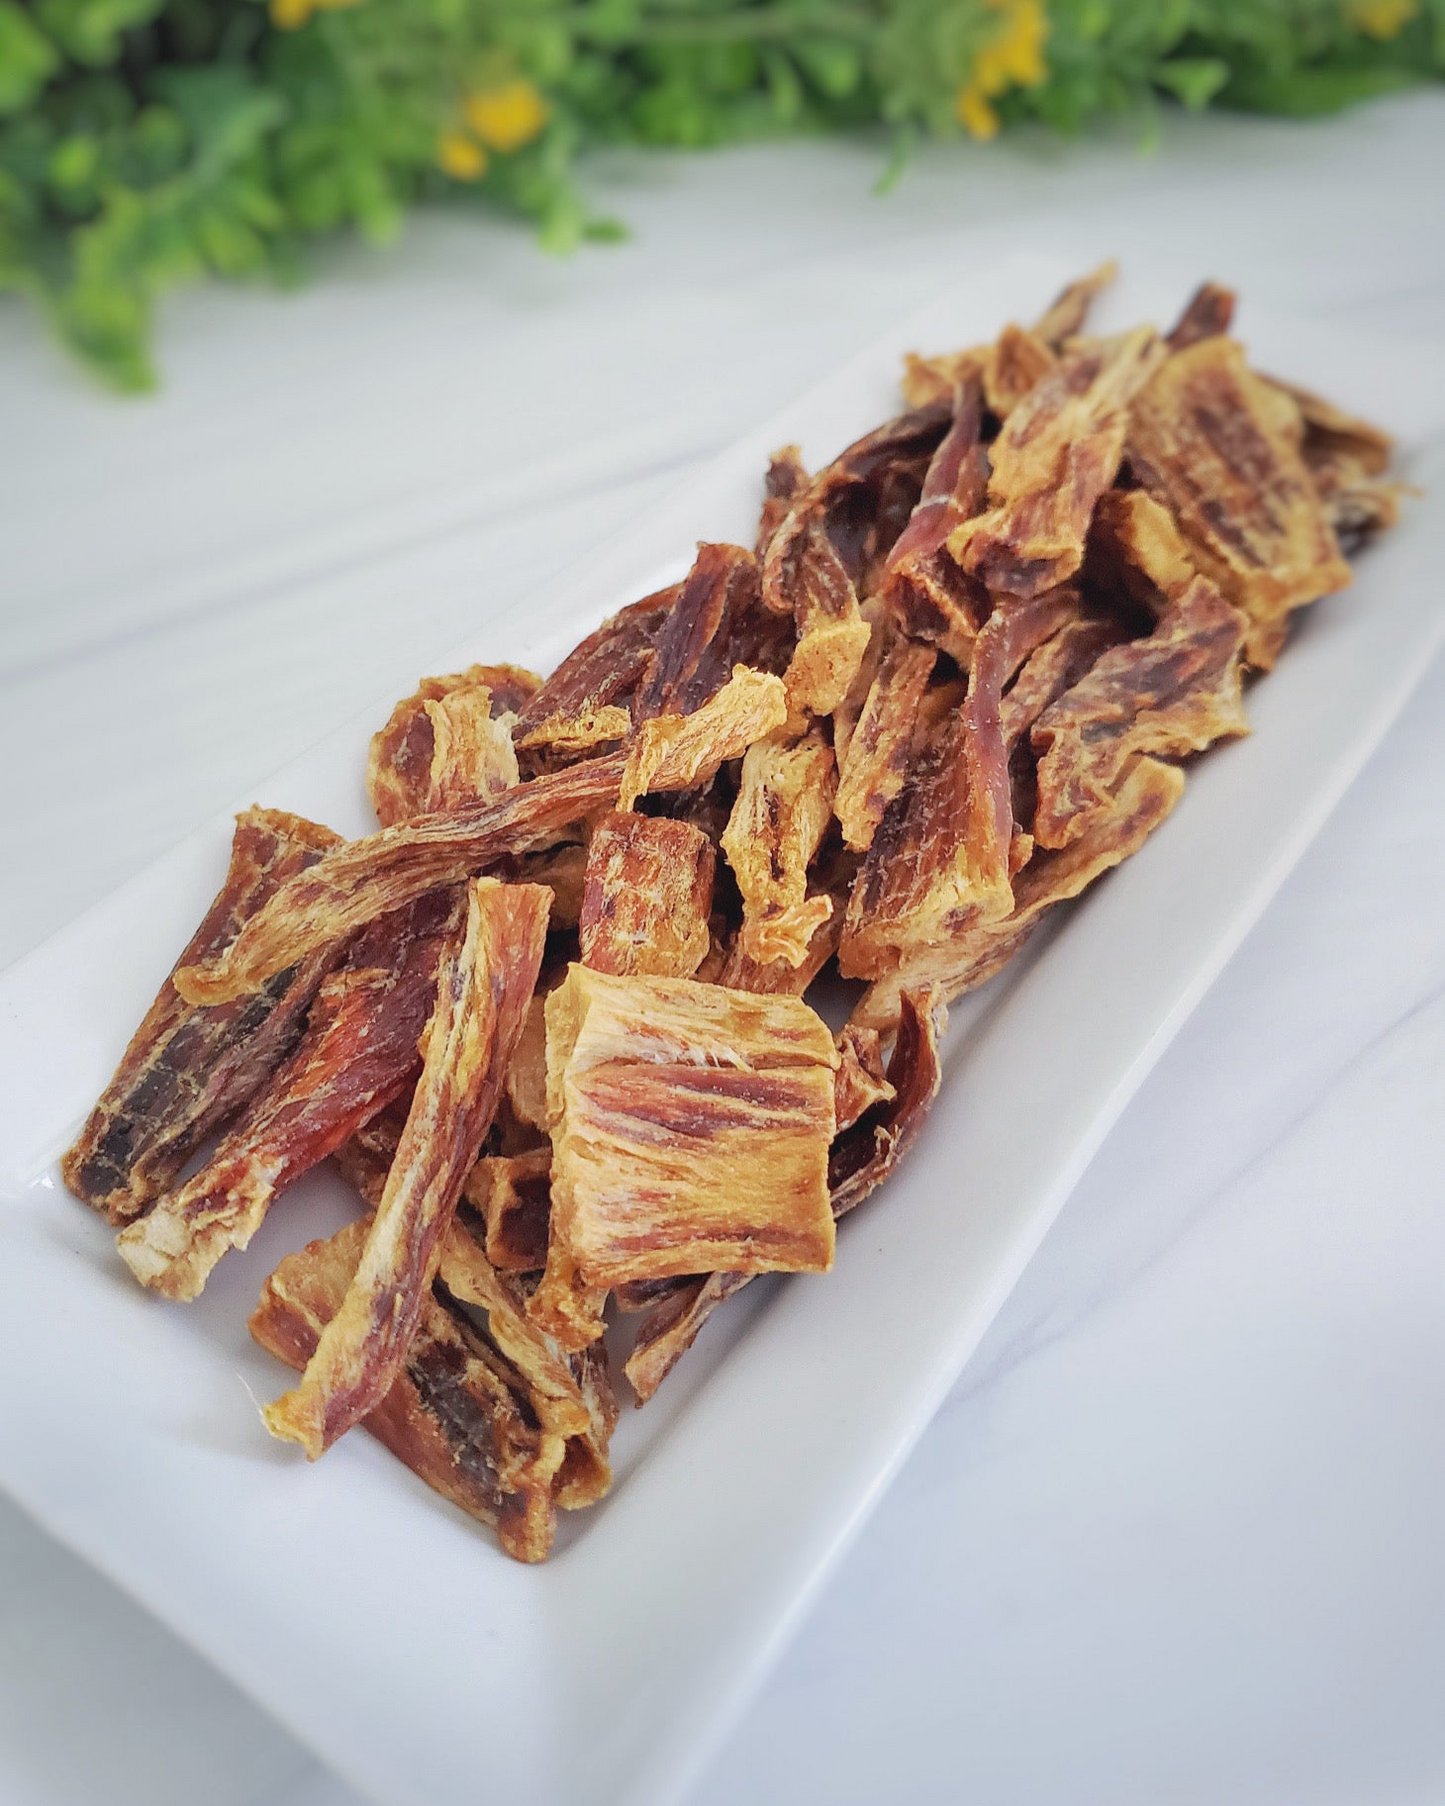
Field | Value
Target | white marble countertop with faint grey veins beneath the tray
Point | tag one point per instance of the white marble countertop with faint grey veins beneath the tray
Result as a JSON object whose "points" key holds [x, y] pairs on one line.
{"points": [[1177, 1534]]}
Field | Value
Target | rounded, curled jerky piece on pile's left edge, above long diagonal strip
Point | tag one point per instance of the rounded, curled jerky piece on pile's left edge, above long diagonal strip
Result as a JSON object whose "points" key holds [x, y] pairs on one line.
{"points": [[402, 767]]}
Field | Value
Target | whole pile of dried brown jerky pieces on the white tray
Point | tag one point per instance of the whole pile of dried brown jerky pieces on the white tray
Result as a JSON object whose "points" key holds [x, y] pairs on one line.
{"points": [[552, 1021]]}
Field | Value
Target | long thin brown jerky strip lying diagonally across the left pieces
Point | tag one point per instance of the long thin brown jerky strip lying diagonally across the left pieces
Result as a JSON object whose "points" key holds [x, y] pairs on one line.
{"points": [[366, 879]]}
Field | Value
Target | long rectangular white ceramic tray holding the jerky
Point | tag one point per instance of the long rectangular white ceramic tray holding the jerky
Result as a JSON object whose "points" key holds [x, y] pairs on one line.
{"points": [[378, 1623]]}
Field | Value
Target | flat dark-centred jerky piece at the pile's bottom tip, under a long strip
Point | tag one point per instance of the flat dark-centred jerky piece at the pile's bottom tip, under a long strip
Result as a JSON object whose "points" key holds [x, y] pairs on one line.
{"points": [[458, 1415]]}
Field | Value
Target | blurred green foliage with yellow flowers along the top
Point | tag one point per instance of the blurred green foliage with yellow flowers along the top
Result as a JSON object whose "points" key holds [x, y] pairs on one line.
{"points": [[151, 142]]}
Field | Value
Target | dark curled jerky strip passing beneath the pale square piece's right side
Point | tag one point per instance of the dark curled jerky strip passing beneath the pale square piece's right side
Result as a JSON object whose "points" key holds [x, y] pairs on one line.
{"points": [[861, 1160]]}
